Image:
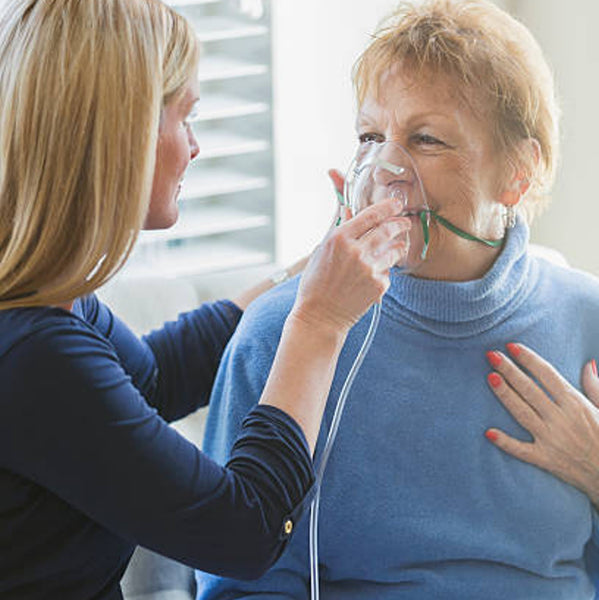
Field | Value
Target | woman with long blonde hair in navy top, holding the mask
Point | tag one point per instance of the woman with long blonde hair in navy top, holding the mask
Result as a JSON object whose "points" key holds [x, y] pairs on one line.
{"points": [[94, 141]]}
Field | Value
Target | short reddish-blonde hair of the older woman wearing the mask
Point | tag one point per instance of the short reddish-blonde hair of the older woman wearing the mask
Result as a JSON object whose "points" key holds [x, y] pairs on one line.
{"points": [[495, 60]]}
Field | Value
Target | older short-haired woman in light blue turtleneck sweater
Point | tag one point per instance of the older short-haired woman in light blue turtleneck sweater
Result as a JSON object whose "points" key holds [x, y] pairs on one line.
{"points": [[415, 502]]}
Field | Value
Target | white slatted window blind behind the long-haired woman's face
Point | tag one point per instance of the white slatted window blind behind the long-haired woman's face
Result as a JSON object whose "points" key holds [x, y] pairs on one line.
{"points": [[226, 208]]}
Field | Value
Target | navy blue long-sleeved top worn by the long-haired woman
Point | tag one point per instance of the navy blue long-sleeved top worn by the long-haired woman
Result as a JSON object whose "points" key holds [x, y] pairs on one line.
{"points": [[89, 467]]}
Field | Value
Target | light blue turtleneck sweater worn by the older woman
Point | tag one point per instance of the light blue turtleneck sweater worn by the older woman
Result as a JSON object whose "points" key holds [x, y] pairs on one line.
{"points": [[416, 503]]}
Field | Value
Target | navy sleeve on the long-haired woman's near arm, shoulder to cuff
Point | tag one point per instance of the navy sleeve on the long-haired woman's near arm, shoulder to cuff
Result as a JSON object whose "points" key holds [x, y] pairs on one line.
{"points": [[82, 431]]}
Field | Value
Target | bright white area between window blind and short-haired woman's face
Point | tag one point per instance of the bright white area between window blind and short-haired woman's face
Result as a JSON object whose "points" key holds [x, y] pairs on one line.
{"points": [[314, 46]]}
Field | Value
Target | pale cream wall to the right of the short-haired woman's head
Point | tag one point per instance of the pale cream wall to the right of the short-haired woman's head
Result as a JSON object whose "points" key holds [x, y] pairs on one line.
{"points": [[567, 31]]}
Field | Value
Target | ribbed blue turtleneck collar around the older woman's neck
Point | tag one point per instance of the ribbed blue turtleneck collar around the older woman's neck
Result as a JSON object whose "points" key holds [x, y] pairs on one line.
{"points": [[462, 309]]}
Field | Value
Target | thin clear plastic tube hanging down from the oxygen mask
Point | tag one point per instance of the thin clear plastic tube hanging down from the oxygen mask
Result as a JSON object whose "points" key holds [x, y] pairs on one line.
{"points": [[314, 576]]}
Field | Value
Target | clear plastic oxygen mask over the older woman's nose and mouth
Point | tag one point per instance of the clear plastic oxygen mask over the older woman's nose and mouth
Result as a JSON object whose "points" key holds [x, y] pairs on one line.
{"points": [[386, 170]]}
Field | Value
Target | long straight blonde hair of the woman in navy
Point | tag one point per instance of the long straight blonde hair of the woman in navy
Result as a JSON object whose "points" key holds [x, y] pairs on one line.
{"points": [[82, 86]]}
